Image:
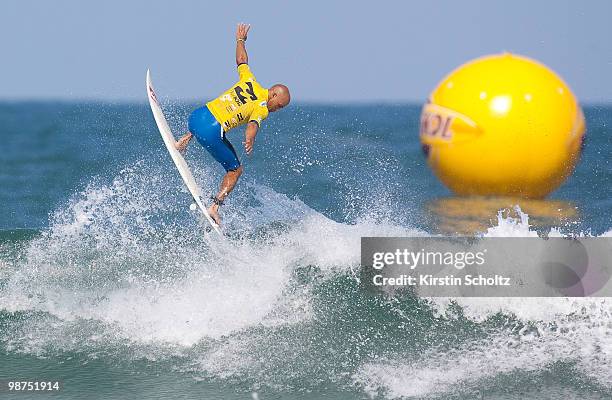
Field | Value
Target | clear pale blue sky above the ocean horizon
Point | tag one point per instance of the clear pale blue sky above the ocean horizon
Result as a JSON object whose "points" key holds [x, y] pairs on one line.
{"points": [[325, 51]]}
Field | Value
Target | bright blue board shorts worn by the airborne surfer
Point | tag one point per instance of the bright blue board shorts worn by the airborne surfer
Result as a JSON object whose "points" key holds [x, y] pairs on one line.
{"points": [[207, 130]]}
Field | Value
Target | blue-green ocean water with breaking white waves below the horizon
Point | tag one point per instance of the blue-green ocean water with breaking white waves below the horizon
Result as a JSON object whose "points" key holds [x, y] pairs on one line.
{"points": [[108, 282]]}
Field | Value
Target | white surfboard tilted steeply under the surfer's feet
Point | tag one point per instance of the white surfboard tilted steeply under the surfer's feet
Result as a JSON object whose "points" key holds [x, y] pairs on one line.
{"points": [[178, 159]]}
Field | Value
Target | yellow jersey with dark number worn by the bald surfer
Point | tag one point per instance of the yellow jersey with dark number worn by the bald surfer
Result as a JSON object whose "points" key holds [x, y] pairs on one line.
{"points": [[246, 101]]}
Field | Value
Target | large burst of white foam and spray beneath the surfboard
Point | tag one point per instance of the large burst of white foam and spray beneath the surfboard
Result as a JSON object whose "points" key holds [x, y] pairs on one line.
{"points": [[106, 259]]}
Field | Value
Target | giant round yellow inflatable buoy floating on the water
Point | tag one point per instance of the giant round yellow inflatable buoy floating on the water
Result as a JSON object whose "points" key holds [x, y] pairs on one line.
{"points": [[502, 125]]}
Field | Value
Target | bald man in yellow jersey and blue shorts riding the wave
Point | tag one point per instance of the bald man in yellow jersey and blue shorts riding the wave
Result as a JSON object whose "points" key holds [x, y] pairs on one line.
{"points": [[247, 102]]}
